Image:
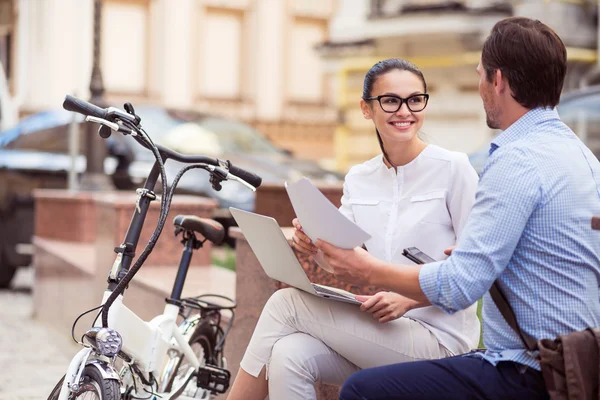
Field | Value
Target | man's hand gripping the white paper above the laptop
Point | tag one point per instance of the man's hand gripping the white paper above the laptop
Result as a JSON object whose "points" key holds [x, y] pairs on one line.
{"points": [[352, 266]]}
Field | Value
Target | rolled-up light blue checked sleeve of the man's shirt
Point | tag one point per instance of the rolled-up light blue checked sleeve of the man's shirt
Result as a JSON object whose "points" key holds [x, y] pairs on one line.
{"points": [[509, 191]]}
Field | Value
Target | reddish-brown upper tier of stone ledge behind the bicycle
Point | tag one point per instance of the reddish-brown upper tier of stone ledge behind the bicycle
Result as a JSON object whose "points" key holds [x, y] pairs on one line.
{"points": [[102, 218]]}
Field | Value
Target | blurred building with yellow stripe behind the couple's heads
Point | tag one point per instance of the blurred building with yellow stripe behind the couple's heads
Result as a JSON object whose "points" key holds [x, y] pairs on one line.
{"points": [[444, 38]]}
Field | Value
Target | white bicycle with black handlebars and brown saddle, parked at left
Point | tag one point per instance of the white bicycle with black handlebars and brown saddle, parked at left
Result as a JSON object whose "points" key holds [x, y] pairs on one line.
{"points": [[124, 357]]}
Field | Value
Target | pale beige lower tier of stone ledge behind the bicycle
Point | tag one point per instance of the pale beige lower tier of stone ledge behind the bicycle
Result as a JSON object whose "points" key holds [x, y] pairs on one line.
{"points": [[67, 283]]}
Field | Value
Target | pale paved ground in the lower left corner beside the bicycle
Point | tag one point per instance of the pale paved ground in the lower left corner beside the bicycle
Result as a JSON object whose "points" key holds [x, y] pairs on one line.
{"points": [[33, 357]]}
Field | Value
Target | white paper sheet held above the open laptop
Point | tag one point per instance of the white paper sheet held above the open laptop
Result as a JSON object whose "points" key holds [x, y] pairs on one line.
{"points": [[320, 219]]}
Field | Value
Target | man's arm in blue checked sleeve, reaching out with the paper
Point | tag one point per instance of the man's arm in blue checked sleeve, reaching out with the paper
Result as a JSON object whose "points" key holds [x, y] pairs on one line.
{"points": [[509, 191]]}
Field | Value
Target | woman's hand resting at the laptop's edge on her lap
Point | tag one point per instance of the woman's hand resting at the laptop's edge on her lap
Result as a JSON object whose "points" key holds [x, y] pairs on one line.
{"points": [[386, 306]]}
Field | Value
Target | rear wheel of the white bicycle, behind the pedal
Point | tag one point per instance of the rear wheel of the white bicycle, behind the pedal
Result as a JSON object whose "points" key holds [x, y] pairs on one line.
{"points": [[202, 342]]}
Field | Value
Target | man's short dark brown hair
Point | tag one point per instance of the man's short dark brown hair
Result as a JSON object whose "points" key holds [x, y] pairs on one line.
{"points": [[531, 56]]}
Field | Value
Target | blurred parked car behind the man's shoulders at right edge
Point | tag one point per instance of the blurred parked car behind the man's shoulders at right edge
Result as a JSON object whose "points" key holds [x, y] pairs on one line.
{"points": [[579, 109]]}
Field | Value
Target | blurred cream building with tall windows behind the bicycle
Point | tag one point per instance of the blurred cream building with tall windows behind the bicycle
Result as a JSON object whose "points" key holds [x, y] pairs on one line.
{"points": [[248, 59]]}
